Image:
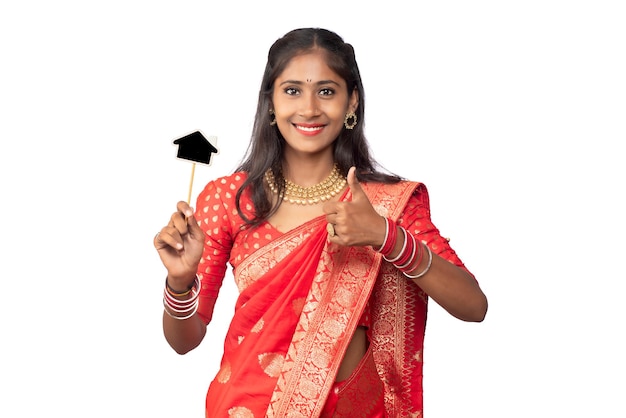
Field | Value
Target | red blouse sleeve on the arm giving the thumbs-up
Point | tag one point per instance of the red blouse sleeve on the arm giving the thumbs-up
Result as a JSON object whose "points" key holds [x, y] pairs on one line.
{"points": [[416, 220]]}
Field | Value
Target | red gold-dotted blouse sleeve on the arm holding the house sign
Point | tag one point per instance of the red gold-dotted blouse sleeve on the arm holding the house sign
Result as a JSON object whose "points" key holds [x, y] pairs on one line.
{"points": [[212, 216]]}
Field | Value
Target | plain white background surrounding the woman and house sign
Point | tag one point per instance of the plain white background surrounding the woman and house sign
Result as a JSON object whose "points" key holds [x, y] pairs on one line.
{"points": [[514, 115]]}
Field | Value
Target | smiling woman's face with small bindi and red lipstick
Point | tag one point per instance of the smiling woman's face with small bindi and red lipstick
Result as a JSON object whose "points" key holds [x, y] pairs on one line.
{"points": [[310, 102]]}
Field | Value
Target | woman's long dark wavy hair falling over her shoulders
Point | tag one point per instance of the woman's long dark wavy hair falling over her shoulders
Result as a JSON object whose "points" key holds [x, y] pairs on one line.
{"points": [[265, 149]]}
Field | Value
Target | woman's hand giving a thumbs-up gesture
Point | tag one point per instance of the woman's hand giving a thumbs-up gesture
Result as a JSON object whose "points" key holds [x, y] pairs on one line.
{"points": [[356, 223]]}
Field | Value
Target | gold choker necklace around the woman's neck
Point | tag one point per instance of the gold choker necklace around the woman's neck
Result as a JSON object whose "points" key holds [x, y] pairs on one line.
{"points": [[321, 192]]}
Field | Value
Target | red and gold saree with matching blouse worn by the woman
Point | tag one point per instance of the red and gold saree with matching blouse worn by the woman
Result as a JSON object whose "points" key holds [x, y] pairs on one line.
{"points": [[300, 301]]}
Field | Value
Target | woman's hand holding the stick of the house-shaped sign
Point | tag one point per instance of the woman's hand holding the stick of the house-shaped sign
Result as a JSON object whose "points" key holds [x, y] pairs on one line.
{"points": [[180, 246]]}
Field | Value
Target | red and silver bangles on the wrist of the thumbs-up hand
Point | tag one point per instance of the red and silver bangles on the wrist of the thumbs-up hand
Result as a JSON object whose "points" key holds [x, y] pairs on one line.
{"points": [[411, 254]]}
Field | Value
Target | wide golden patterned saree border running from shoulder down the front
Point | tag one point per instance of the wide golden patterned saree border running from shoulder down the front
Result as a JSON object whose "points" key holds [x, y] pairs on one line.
{"points": [[345, 279]]}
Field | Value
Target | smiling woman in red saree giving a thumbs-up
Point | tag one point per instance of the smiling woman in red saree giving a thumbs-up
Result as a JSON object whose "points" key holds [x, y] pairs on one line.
{"points": [[334, 259]]}
